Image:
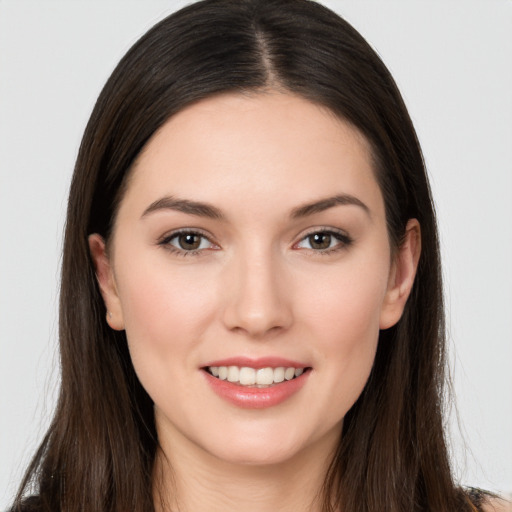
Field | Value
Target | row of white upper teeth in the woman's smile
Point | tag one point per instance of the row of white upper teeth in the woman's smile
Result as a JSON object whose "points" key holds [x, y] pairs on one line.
{"points": [[246, 376]]}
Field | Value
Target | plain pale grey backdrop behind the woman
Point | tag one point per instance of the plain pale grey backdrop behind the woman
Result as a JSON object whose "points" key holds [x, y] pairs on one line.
{"points": [[453, 63]]}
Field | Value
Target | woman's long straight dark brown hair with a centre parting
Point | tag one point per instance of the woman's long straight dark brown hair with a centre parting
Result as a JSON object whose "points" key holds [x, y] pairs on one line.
{"points": [[99, 451]]}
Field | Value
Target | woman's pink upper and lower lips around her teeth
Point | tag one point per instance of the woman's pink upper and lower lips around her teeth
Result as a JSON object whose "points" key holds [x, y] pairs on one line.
{"points": [[253, 397]]}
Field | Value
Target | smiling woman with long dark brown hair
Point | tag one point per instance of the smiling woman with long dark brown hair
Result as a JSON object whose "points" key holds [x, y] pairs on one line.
{"points": [[251, 307]]}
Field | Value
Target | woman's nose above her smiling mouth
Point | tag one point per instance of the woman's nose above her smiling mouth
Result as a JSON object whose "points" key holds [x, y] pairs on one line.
{"points": [[257, 299]]}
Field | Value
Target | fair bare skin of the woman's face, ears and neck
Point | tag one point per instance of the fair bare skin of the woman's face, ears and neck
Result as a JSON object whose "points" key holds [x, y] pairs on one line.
{"points": [[256, 287]]}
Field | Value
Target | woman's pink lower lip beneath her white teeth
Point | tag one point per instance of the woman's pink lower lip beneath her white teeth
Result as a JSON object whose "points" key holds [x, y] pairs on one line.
{"points": [[256, 398]]}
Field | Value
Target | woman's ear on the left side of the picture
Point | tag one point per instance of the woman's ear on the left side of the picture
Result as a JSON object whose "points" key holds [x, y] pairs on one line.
{"points": [[106, 281]]}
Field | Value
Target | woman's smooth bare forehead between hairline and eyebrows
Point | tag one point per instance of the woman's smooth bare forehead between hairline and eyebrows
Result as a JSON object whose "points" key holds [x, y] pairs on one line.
{"points": [[233, 148]]}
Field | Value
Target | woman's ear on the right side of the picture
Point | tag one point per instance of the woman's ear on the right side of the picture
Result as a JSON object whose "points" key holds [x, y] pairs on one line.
{"points": [[402, 274]]}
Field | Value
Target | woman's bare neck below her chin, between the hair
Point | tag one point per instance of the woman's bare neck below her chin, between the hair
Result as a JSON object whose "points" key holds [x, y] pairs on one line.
{"points": [[188, 479]]}
